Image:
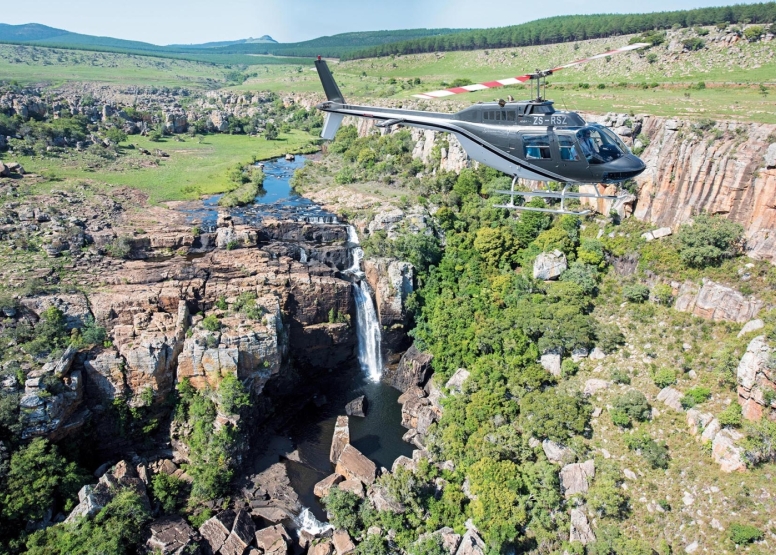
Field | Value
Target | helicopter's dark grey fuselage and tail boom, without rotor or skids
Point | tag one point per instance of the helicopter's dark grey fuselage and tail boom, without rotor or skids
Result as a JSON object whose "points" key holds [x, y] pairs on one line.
{"points": [[529, 140]]}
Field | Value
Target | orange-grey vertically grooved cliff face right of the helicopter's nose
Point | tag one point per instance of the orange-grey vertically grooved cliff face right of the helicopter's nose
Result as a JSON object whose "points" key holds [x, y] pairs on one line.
{"points": [[693, 167]]}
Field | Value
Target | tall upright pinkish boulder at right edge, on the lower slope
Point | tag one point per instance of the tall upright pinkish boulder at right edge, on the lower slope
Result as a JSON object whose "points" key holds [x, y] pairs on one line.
{"points": [[756, 379]]}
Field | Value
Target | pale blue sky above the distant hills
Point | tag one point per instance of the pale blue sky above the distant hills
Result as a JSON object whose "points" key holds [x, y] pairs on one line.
{"points": [[198, 21]]}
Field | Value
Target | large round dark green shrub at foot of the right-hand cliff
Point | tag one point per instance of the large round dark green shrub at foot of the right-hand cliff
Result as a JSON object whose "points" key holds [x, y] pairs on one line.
{"points": [[709, 240]]}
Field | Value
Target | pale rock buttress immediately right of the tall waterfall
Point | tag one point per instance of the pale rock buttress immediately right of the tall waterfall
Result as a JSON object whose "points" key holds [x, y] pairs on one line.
{"points": [[392, 282]]}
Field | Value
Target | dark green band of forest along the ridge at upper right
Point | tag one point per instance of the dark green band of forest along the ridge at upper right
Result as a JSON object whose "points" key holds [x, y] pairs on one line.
{"points": [[574, 27]]}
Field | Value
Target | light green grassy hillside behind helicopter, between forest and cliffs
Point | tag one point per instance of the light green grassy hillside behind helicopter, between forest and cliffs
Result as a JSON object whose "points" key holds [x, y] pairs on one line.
{"points": [[731, 75]]}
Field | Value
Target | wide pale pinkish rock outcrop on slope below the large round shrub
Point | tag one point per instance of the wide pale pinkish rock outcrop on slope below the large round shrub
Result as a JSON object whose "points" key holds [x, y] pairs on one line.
{"points": [[716, 302]]}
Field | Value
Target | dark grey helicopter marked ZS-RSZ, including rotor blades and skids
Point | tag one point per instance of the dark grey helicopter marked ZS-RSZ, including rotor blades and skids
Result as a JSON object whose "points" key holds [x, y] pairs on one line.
{"points": [[527, 140]]}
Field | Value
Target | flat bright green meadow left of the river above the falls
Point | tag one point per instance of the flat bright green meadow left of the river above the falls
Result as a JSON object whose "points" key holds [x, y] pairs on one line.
{"points": [[193, 168]]}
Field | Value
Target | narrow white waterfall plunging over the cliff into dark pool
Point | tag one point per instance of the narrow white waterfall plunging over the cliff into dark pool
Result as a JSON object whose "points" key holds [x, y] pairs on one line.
{"points": [[370, 354]]}
